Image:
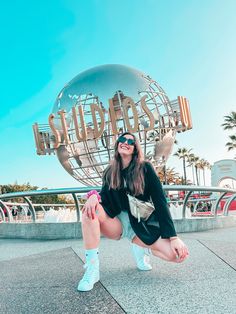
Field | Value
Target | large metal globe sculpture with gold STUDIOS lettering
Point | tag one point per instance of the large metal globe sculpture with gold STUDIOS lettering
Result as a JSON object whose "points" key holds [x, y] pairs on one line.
{"points": [[99, 104]]}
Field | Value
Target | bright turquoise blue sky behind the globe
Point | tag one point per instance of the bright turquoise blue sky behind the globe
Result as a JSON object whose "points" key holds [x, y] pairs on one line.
{"points": [[188, 47]]}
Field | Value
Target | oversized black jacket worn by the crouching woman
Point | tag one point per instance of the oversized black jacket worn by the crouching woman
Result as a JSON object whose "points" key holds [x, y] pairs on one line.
{"points": [[159, 223]]}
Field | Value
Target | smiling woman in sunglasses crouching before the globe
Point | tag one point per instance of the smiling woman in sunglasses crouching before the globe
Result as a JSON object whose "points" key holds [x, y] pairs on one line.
{"points": [[108, 213]]}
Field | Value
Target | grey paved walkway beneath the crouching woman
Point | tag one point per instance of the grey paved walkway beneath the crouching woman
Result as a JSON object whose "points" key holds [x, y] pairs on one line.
{"points": [[41, 277]]}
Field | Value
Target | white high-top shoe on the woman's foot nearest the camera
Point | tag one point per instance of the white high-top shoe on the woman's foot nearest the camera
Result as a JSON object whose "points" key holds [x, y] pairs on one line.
{"points": [[90, 277]]}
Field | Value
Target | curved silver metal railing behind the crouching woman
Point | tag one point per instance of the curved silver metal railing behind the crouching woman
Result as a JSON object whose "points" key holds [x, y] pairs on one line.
{"points": [[218, 194]]}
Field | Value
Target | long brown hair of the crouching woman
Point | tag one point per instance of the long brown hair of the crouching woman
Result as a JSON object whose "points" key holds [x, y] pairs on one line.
{"points": [[135, 175]]}
